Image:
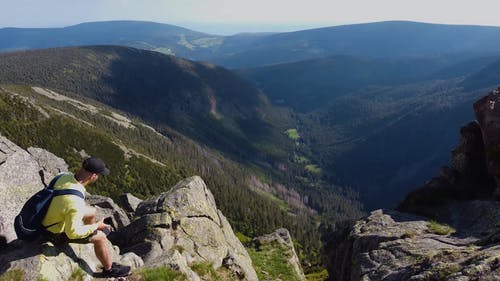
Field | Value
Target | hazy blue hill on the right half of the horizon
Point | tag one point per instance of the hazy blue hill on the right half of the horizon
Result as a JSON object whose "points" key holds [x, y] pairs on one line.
{"points": [[375, 40]]}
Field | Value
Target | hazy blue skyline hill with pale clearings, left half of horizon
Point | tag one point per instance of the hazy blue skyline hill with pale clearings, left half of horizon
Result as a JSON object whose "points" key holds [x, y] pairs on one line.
{"points": [[165, 38]]}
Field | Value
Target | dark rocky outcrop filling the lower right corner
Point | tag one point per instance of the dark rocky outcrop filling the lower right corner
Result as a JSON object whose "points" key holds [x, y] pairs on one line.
{"points": [[446, 230]]}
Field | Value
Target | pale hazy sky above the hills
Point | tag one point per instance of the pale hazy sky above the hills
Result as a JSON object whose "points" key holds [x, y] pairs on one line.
{"points": [[232, 16]]}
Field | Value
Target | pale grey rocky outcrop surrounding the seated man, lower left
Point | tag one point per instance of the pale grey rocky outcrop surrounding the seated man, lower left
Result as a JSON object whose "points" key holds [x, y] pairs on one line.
{"points": [[180, 229]]}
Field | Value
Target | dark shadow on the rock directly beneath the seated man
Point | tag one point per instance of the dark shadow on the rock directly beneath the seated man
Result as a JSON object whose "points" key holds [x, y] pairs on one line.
{"points": [[19, 250]]}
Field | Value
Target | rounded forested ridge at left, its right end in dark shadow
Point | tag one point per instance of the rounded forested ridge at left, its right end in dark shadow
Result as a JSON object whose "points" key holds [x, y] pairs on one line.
{"points": [[202, 101]]}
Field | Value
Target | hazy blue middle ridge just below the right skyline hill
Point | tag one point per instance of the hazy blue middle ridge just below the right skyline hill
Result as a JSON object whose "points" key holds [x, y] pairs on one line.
{"points": [[310, 84]]}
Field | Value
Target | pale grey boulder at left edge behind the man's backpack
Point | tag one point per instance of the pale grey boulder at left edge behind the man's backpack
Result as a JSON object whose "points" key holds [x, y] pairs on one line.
{"points": [[22, 174]]}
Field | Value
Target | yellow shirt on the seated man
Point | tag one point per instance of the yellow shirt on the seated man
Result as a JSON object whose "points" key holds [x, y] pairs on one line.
{"points": [[68, 210]]}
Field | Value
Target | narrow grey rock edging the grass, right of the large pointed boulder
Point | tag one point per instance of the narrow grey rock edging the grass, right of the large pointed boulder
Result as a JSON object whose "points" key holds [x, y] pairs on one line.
{"points": [[283, 238]]}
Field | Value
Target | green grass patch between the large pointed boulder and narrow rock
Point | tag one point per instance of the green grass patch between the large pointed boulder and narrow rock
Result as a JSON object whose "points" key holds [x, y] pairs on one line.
{"points": [[270, 262]]}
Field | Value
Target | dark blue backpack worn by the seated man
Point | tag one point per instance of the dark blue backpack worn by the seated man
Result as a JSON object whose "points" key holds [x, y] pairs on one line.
{"points": [[28, 224]]}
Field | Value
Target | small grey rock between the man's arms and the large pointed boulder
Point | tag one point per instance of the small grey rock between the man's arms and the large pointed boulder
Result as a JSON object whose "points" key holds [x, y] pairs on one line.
{"points": [[106, 207]]}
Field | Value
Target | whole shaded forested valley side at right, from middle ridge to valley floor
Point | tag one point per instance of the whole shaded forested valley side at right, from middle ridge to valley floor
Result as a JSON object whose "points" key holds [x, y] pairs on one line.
{"points": [[380, 126]]}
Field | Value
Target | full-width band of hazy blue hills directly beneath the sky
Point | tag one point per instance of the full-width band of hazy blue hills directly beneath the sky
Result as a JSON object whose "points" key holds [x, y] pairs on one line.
{"points": [[373, 40]]}
